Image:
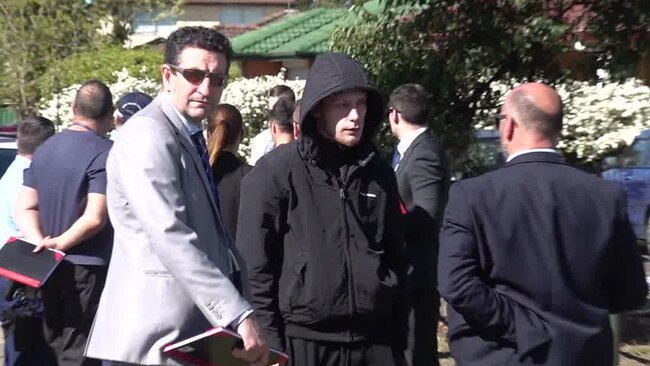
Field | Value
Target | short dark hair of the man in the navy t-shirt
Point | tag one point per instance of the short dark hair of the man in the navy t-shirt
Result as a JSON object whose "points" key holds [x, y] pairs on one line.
{"points": [[94, 100]]}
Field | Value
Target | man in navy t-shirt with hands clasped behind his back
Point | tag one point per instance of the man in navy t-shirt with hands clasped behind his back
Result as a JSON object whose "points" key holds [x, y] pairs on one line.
{"points": [[62, 205]]}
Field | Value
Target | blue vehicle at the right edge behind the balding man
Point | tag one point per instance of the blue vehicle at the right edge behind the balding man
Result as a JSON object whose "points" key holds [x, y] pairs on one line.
{"points": [[632, 169]]}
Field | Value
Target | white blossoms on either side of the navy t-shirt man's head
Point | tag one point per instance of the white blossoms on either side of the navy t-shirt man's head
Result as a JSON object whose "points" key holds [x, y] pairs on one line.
{"points": [[58, 107]]}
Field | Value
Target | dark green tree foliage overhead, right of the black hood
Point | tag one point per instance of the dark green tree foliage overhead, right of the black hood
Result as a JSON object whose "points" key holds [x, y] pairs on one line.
{"points": [[457, 48]]}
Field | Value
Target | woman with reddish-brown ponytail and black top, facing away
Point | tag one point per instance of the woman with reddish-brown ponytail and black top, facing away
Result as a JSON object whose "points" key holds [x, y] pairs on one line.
{"points": [[225, 132]]}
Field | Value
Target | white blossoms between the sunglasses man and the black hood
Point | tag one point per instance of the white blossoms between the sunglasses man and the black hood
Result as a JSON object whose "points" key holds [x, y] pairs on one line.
{"points": [[250, 96]]}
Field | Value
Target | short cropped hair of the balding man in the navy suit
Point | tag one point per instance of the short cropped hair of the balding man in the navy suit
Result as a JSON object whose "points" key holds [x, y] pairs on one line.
{"points": [[547, 124]]}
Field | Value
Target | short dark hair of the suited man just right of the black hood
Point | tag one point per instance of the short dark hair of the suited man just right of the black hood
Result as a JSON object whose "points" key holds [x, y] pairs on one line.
{"points": [[412, 102]]}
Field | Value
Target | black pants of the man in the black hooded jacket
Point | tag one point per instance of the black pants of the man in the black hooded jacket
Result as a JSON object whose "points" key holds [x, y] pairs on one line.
{"points": [[304, 352]]}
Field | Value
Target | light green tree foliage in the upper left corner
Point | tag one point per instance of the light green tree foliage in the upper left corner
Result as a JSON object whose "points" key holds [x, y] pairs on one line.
{"points": [[37, 34]]}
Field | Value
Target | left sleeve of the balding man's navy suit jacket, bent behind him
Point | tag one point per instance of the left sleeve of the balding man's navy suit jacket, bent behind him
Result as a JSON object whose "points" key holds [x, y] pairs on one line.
{"points": [[467, 290]]}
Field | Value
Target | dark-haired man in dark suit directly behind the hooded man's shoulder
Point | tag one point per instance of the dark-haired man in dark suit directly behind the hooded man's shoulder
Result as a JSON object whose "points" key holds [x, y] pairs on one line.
{"points": [[422, 179]]}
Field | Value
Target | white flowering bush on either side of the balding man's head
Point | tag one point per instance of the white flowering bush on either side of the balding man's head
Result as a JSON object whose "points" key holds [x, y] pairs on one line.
{"points": [[599, 117]]}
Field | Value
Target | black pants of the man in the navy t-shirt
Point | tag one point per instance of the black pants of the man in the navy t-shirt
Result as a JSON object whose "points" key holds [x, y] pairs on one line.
{"points": [[70, 299]]}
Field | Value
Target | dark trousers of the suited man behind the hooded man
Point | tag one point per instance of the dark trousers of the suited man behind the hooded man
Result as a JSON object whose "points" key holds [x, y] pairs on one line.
{"points": [[425, 306]]}
